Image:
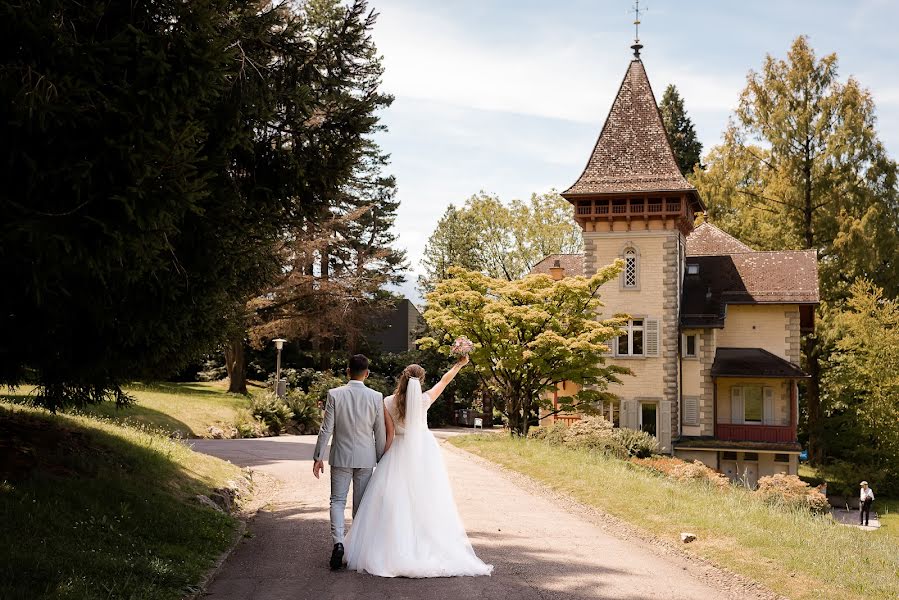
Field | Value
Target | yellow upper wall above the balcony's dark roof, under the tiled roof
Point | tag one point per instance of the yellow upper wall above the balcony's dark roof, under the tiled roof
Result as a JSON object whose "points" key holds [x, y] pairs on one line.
{"points": [[758, 326]]}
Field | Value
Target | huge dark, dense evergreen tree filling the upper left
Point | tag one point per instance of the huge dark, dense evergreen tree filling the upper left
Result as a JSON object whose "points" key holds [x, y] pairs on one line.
{"points": [[143, 185]]}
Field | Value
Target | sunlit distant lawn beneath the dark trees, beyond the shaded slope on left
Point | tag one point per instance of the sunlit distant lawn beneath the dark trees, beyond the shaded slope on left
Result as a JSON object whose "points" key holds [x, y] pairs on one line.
{"points": [[187, 409]]}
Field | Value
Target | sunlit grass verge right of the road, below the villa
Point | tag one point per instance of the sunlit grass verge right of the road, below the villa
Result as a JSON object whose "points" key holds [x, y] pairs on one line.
{"points": [[792, 552]]}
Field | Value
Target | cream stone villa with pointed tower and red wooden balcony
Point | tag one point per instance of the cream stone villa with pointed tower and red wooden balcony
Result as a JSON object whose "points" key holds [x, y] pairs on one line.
{"points": [[713, 338]]}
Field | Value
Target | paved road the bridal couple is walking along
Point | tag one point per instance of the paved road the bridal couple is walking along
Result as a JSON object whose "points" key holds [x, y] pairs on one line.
{"points": [[540, 551]]}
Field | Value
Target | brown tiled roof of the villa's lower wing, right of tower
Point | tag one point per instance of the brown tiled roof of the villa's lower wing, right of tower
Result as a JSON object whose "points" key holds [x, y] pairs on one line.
{"points": [[789, 277]]}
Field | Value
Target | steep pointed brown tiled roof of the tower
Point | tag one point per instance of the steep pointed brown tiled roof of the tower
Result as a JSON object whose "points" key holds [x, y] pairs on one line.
{"points": [[632, 153]]}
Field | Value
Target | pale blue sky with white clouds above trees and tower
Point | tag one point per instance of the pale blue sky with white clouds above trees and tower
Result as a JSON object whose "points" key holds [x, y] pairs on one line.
{"points": [[509, 96]]}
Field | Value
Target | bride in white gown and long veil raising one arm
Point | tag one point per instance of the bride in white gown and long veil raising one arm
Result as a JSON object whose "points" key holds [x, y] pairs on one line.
{"points": [[407, 524]]}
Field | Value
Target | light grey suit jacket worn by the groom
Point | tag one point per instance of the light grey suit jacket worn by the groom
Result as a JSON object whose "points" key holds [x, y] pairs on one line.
{"points": [[355, 416]]}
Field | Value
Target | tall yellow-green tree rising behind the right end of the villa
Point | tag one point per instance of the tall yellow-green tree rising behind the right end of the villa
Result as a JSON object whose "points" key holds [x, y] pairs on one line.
{"points": [[801, 167]]}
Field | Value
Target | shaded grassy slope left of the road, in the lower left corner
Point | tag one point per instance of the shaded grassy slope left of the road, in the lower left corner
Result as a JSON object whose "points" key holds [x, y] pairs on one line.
{"points": [[92, 509]]}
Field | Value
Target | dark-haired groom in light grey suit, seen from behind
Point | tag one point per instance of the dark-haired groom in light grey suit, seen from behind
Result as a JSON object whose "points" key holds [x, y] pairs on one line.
{"points": [[355, 415]]}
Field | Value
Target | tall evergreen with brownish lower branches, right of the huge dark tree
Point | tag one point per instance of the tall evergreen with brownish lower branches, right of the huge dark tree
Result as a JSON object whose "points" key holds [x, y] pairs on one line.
{"points": [[336, 263]]}
